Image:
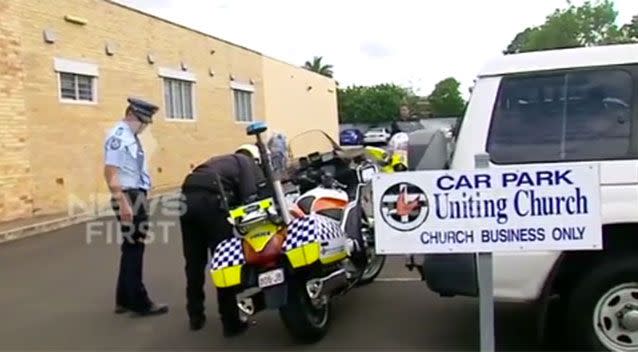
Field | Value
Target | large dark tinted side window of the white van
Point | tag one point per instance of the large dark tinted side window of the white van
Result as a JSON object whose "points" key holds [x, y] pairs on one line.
{"points": [[573, 116]]}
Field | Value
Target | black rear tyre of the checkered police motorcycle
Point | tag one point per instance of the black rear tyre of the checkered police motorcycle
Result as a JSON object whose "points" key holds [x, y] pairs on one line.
{"points": [[305, 322]]}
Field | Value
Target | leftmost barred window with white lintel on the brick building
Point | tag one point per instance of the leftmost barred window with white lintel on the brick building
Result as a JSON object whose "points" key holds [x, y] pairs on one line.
{"points": [[77, 81]]}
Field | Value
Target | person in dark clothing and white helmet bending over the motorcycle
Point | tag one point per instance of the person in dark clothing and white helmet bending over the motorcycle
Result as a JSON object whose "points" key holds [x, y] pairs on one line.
{"points": [[204, 225]]}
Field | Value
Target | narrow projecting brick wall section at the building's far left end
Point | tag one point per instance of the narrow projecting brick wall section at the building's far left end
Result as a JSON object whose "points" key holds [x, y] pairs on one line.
{"points": [[15, 173]]}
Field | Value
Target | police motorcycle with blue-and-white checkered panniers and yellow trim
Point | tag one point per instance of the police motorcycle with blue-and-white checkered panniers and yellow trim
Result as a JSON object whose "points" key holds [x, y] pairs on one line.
{"points": [[296, 265]]}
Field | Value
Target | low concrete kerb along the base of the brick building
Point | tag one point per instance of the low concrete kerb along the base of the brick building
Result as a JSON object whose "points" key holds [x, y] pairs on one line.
{"points": [[56, 224]]}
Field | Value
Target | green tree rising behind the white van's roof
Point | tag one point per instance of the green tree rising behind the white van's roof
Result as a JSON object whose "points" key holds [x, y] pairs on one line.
{"points": [[575, 26]]}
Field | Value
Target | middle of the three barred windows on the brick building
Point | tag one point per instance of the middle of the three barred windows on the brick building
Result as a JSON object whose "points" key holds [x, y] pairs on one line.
{"points": [[178, 98]]}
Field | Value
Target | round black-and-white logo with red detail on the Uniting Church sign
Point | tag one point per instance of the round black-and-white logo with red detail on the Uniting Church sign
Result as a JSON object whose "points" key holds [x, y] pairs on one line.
{"points": [[404, 206]]}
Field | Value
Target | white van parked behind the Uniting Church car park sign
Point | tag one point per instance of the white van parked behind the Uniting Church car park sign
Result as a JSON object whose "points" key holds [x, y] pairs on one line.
{"points": [[561, 106]]}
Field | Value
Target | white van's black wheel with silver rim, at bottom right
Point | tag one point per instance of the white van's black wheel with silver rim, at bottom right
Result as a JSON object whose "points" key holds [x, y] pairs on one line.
{"points": [[602, 307]]}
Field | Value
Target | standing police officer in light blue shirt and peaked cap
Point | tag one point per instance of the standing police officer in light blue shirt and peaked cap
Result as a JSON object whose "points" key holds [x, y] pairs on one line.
{"points": [[128, 179]]}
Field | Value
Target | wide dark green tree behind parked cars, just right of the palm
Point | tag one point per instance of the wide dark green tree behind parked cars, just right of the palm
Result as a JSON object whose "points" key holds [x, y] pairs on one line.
{"points": [[371, 104]]}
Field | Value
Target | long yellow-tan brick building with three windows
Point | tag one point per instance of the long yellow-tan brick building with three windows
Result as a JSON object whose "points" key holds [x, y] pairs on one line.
{"points": [[67, 66]]}
